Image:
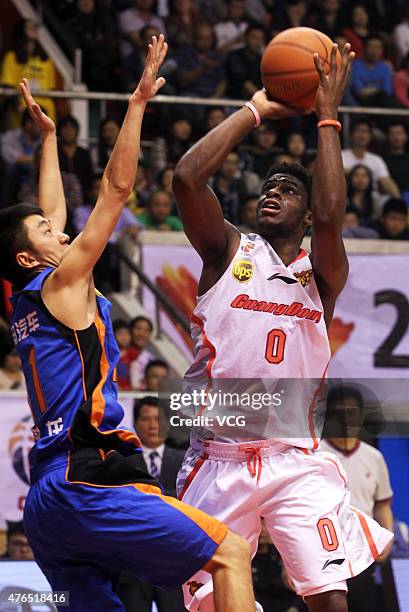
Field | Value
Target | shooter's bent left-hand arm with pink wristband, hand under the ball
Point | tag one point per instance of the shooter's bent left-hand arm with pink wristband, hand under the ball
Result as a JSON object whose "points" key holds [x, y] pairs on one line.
{"points": [[199, 208]]}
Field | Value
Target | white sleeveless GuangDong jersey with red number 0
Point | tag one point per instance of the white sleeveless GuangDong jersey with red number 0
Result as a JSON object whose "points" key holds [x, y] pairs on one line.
{"points": [[264, 321]]}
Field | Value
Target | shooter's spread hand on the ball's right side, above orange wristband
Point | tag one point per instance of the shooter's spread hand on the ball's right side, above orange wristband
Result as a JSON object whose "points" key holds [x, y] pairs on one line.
{"points": [[332, 85]]}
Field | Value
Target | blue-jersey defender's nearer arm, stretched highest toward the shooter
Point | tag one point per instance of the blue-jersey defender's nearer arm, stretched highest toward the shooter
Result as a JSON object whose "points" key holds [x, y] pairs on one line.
{"points": [[118, 179]]}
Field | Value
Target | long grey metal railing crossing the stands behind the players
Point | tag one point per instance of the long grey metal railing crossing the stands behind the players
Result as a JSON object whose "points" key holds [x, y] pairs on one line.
{"points": [[347, 111]]}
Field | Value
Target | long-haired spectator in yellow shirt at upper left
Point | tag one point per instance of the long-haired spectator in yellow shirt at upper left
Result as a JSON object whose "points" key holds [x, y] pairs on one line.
{"points": [[27, 59]]}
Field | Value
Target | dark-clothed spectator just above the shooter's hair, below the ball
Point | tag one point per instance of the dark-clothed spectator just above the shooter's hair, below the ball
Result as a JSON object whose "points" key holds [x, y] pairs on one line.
{"points": [[258, 156]]}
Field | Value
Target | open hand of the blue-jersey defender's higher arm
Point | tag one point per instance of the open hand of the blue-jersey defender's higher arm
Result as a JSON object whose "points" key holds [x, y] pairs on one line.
{"points": [[149, 84]]}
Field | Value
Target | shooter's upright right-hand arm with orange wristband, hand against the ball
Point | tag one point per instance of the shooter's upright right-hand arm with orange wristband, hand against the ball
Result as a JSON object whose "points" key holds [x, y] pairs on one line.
{"points": [[329, 186]]}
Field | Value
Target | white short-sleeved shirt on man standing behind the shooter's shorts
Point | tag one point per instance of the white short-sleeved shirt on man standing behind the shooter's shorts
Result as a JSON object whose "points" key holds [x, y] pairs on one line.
{"points": [[367, 473]]}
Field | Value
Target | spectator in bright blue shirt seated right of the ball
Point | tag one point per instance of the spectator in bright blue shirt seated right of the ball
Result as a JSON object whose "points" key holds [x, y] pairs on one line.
{"points": [[372, 77]]}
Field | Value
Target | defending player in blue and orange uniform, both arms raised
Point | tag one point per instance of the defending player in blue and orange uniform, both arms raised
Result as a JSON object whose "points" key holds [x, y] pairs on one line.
{"points": [[90, 513]]}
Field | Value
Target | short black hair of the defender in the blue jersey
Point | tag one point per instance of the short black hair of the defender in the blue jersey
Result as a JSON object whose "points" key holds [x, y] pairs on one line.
{"points": [[14, 238]]}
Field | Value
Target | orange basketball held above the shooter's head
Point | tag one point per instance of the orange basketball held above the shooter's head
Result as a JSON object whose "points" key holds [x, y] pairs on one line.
{"points": [[287, 67]]}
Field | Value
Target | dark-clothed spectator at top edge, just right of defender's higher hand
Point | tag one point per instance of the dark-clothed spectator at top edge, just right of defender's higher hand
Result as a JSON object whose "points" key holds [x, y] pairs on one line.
{"points": [[181, 23]]}
